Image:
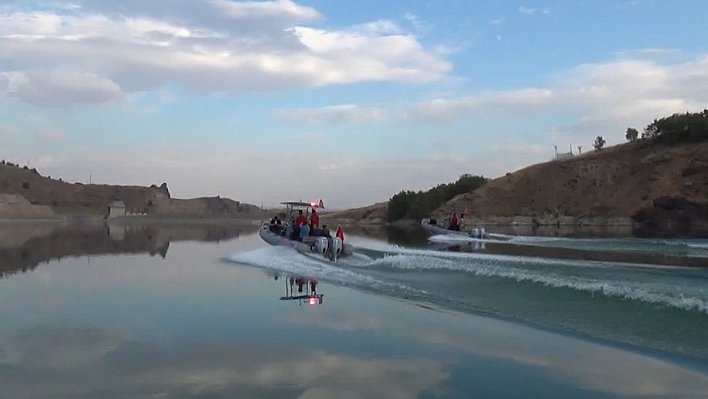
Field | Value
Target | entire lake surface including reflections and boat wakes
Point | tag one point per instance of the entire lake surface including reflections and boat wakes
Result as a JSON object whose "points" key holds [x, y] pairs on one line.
{"points": [[206, 312]]}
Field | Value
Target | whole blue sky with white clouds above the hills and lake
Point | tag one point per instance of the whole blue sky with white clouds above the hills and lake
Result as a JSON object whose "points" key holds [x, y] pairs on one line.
{"points": [[345, 101]]}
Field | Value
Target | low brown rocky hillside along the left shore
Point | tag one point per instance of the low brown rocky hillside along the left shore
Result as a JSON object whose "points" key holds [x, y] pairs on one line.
{"points": [[24, 193]]}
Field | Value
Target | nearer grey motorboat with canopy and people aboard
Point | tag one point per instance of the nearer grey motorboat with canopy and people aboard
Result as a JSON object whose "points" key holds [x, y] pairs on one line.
{"points": [[320, 244]]}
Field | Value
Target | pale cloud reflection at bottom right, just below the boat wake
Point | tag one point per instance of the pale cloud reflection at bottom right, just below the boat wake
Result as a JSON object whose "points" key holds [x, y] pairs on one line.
{"points": [[590, 366]]}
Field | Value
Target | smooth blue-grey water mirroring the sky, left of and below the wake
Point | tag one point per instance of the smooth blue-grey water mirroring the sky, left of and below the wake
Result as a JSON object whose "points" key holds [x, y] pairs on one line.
{"points": [[198, 328]]}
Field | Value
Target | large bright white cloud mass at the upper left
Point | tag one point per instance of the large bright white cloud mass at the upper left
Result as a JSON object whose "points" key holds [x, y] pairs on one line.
{"points": [[211, 46]]}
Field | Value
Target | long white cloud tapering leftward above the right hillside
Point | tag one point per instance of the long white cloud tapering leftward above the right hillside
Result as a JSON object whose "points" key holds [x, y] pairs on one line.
{"points": [[606, 97]]}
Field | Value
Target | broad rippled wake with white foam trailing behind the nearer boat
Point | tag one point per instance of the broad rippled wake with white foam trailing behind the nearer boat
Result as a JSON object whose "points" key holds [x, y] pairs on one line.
{"points": [[626, 303]]}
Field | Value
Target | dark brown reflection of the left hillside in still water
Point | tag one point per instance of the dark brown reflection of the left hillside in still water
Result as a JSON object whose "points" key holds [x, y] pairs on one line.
{"points": [[23, 246]]}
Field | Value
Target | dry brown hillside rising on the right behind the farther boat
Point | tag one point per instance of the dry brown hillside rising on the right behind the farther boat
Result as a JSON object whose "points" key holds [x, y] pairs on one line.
{"points": [[637, 183]]}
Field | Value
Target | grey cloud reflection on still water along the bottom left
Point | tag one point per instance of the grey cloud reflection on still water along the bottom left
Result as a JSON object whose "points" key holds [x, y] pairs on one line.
{"points": [[93, 362]]}
